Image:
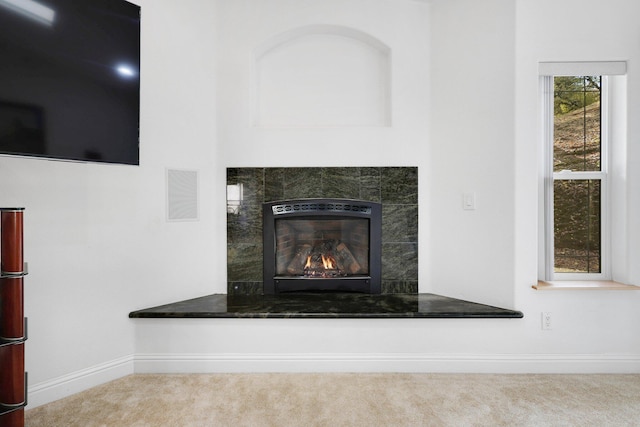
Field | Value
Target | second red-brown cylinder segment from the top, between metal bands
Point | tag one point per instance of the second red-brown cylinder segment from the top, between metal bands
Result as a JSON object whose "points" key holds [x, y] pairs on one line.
{"points": [[12, 308]]}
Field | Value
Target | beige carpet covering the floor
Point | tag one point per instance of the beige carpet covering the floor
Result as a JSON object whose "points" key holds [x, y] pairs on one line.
{"points": [[350, 400]]}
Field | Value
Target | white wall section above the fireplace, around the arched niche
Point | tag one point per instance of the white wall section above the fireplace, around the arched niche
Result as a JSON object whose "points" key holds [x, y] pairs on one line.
{"points": [[244, 27]]}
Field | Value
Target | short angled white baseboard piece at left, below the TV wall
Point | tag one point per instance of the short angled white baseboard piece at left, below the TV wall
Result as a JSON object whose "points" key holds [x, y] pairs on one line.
{"points": [[75, 382]]}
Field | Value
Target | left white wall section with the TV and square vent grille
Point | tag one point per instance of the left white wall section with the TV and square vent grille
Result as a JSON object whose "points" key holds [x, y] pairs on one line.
{"points": [[96, 238]]}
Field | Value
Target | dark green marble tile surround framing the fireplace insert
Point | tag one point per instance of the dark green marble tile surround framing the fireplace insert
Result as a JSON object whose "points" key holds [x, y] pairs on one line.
{"points": [[396, 188]]}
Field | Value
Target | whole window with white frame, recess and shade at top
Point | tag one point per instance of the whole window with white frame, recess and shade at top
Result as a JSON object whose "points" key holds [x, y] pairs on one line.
{"points": [[584, 212]]}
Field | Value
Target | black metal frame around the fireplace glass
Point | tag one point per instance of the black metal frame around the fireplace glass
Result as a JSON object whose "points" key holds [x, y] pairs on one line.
{"points": [[317, 209]]}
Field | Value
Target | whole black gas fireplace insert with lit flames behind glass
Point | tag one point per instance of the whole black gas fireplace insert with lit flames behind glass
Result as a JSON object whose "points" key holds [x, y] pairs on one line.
{"points": [[322, 245]]}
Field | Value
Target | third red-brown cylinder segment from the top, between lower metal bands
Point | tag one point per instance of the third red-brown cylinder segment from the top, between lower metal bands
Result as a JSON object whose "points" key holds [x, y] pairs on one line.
{"points": [[12, 374]]}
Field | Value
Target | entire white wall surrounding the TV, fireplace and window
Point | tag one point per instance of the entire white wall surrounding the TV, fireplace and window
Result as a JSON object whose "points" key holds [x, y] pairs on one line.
{"points": [[99, 246]]}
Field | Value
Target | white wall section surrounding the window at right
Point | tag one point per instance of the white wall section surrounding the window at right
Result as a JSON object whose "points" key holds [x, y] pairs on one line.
{"points": [[599, 321]]}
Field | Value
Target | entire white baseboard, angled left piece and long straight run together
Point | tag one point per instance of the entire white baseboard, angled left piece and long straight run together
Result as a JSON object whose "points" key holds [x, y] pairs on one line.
{"points": [[57, 388]]}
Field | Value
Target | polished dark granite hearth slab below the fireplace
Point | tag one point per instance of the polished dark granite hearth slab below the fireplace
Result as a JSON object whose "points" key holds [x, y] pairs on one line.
{"points": [[325, 305]]}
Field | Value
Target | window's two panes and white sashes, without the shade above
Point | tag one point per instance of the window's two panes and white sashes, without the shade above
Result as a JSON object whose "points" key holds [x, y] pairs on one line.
{"points": [[576, 190]]}
